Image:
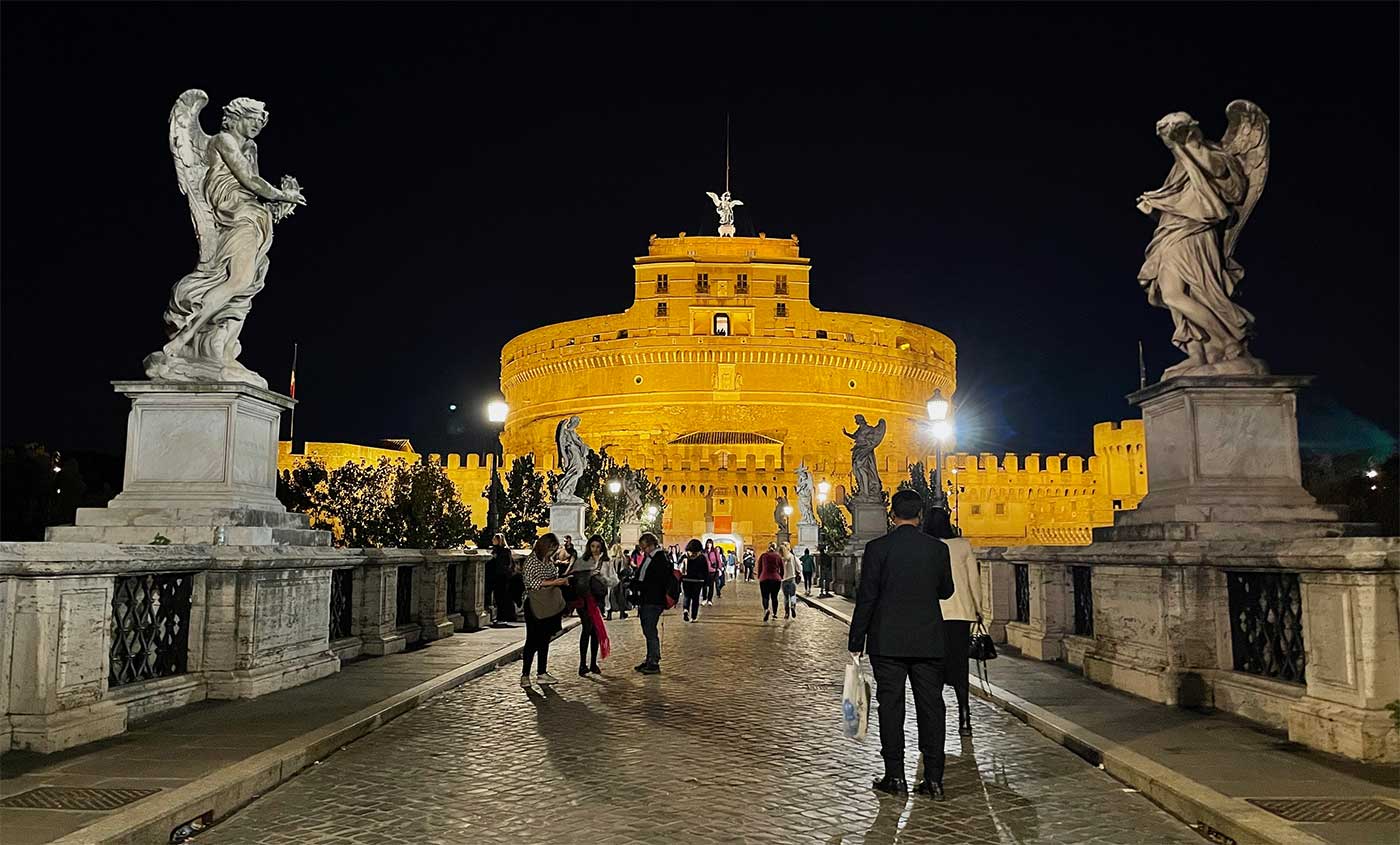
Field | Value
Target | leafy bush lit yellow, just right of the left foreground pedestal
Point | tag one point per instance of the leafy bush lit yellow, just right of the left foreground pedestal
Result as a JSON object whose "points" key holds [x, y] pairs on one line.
{"points": [[386, 504]]}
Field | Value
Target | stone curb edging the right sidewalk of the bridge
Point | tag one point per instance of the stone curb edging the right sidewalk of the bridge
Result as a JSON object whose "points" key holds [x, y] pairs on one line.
{"points": [[1202, 808]]}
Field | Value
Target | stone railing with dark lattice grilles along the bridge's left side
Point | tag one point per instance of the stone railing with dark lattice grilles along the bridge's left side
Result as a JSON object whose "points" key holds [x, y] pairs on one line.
{"points": [[93, 636]]}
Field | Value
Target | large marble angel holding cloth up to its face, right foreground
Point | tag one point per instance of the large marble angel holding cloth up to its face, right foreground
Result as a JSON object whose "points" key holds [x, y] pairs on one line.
{"points": [[1203, 206]]}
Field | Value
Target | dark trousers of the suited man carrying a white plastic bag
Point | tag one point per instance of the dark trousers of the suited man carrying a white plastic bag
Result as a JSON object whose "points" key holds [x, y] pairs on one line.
{"points": [[926, 676]]}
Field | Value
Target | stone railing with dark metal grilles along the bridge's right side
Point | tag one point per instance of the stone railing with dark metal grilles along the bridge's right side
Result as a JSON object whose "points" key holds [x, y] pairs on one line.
{"points": [[1298, 634]]}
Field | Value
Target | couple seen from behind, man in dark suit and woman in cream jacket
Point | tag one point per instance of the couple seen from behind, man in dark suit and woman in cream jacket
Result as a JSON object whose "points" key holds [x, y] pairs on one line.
{"points": [[915, 609]]}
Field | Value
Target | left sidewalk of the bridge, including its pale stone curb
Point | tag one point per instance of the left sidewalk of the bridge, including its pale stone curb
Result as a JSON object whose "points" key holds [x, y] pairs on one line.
{"points": [[216, 756]]}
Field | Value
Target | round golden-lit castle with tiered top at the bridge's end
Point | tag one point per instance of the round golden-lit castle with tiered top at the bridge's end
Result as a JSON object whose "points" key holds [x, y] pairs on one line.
{"points": [[722, 378]]}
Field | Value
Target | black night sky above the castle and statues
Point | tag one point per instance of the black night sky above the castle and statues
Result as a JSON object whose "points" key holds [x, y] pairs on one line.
{"points": [[479, 171]]}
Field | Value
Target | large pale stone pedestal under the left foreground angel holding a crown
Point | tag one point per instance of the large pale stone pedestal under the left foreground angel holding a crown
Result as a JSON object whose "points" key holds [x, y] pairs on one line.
{"points": [[201, 468]]}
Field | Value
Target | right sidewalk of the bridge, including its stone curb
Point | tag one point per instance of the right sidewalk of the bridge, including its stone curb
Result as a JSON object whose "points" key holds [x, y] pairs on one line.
{"points": [[1206, 769]]}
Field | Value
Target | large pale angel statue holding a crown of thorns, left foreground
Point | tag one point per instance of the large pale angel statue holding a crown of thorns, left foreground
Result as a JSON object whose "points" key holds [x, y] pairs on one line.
{"points": [[234, 211]]}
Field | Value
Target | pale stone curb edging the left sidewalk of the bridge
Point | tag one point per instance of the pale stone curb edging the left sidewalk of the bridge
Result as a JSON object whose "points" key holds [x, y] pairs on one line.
{"points": [[215, 797]]}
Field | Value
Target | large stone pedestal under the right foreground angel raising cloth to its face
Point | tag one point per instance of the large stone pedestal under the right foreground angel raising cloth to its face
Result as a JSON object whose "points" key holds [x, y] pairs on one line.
{"points": [[1223, 464]]}
